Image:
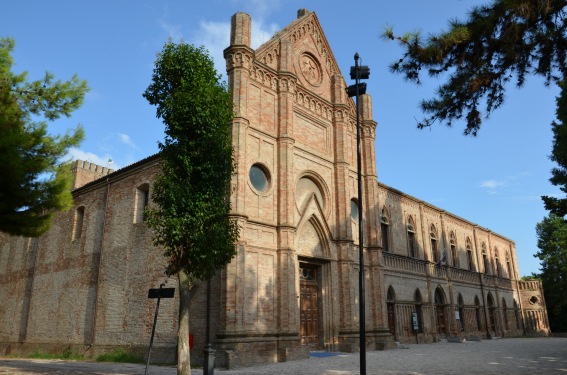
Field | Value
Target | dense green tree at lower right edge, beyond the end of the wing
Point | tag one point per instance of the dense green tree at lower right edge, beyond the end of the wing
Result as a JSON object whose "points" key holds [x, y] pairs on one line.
{"points": [[552, 242]]}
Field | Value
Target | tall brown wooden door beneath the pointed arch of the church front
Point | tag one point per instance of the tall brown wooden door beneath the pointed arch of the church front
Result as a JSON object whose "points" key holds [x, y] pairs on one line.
{"points": [[309, 310]]}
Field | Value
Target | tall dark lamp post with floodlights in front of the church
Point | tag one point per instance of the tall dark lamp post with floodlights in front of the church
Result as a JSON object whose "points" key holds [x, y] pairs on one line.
{"points": [[358, 72]]}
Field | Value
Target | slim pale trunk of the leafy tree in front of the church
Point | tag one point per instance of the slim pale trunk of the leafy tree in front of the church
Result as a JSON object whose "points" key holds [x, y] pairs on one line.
{"points": [[183, 354]]}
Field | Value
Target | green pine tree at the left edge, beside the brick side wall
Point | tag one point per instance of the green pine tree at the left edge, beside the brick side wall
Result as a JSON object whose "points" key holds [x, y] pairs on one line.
{"points": [[35, 183]]}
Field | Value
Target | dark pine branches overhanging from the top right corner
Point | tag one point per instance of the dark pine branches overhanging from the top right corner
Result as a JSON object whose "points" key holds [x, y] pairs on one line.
{"points": [[480, 55]]}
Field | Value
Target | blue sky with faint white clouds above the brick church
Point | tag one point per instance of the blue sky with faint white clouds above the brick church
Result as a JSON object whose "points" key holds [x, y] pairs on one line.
{"points": [[494, 180]]}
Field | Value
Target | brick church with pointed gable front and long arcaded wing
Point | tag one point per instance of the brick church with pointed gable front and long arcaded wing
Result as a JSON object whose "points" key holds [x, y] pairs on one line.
{"points": [[293, 285]]}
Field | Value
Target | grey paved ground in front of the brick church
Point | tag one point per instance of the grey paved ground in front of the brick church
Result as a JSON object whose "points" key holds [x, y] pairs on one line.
{"points": [[521, 356]]}
